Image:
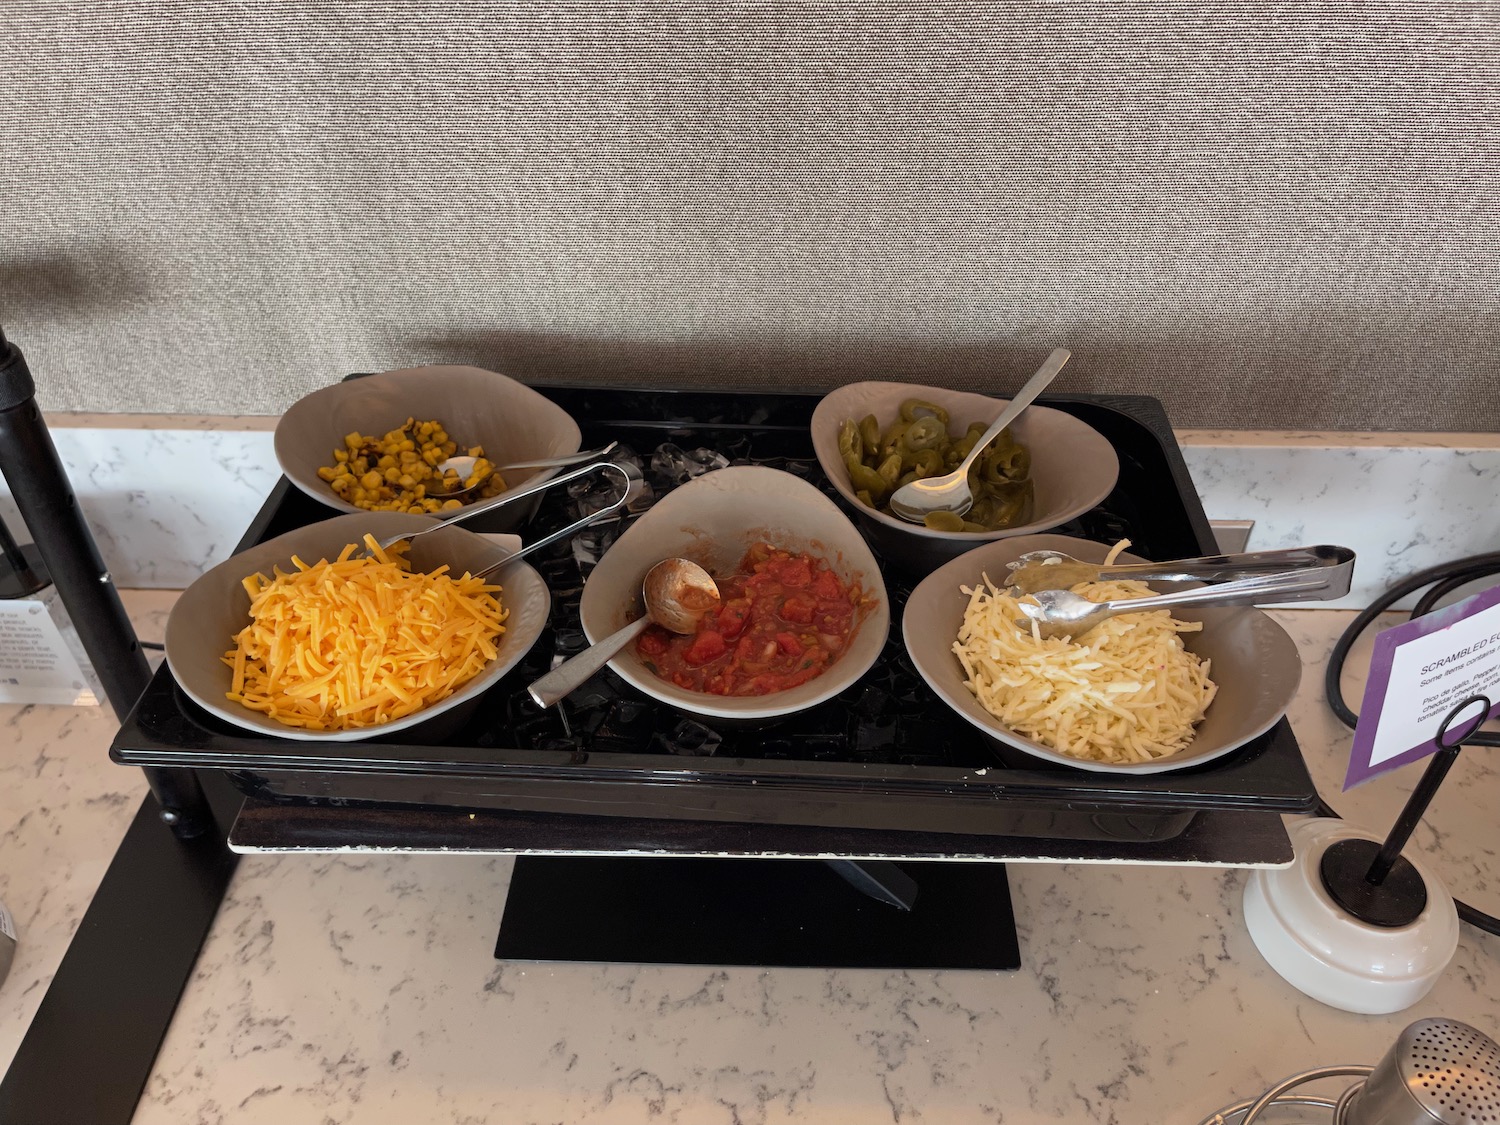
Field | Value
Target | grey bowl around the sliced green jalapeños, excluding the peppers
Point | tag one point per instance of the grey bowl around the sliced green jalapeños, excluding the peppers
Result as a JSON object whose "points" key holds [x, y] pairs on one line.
{"points": [[1073, 467]]}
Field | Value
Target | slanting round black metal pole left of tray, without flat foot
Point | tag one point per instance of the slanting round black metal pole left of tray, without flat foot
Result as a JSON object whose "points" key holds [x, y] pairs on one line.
{"points": [[47, 503]]}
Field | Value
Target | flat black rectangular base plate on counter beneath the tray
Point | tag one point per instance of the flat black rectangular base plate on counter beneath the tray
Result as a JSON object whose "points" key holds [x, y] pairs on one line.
{"points": [[754, 913]]}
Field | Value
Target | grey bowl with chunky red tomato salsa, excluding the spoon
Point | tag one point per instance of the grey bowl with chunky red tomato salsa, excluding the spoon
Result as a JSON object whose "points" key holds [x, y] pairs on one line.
{"points": [[802, 614]]}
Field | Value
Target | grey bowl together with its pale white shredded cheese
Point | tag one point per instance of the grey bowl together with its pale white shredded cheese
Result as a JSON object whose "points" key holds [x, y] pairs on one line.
{"points": [[1148, 692]]}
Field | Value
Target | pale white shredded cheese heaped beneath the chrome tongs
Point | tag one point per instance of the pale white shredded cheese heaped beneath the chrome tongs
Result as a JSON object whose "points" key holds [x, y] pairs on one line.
{"points": [[1127, 692]]}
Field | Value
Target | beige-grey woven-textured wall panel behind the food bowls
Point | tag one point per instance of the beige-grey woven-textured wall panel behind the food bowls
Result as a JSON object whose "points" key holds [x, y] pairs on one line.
{"points": [[1270, 217]]}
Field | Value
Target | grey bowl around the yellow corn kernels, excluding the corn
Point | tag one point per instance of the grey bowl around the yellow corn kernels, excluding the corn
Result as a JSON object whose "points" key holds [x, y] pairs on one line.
{"points": [[479, 407]]}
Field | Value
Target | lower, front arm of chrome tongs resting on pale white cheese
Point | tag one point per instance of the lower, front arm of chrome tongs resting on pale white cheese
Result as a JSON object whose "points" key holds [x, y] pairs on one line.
{"points": [[1061, 613]]}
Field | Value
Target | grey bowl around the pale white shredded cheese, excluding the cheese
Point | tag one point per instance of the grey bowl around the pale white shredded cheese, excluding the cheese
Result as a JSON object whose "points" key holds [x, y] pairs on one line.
{"points": [[1255, 662]]}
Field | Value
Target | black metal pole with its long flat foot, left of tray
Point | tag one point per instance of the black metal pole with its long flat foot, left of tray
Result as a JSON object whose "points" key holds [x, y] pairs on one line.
{"points": [[94, 1042]]}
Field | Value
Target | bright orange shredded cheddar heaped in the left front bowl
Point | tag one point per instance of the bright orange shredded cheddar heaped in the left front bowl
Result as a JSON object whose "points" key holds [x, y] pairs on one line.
{"points": [[361, 641]]}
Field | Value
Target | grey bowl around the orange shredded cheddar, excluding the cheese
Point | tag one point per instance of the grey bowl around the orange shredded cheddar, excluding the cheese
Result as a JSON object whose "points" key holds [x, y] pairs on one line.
{"points": [[215, 608]]}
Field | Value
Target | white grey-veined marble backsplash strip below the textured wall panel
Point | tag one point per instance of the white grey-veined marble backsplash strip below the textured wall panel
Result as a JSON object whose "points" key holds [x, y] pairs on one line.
{"points": [[170, 496]]}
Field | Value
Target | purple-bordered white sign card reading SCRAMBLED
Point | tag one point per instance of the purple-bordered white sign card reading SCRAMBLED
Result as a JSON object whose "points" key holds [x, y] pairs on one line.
{"points": [[1420, 673]]}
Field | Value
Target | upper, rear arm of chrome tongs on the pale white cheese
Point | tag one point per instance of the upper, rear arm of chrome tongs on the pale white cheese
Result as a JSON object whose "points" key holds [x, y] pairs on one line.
{"points": [[1055, 571]]}
